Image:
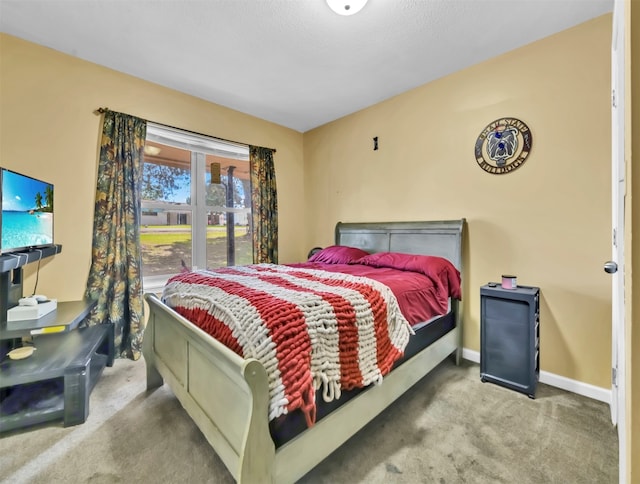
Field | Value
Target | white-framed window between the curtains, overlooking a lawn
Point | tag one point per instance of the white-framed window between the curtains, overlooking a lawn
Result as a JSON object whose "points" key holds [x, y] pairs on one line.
{"points": [[196, 204]]}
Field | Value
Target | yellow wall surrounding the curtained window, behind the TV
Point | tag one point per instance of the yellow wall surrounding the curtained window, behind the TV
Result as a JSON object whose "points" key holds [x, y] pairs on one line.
{"points": [[48, 129]]}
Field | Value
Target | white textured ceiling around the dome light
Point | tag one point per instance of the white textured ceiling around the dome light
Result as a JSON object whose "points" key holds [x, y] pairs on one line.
{"points": [[292, 62]]}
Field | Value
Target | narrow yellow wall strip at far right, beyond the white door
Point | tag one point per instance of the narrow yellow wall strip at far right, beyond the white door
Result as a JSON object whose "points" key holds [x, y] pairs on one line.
{"points": [[632, 264]]}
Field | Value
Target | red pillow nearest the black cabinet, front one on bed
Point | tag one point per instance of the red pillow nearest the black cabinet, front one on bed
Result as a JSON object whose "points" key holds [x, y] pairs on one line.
{"points": [[440, 270]]}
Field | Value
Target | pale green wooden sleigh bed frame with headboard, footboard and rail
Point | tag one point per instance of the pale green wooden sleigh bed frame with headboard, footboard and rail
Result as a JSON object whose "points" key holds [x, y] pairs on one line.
{"points": [[227, 396]]}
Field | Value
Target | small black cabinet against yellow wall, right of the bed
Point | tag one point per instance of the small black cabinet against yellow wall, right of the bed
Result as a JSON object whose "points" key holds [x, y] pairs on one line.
{"points": [[510, 337]]}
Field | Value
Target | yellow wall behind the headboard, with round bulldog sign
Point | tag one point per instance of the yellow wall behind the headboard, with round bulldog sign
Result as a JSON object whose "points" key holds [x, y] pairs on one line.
{"points": [[548, 222]]}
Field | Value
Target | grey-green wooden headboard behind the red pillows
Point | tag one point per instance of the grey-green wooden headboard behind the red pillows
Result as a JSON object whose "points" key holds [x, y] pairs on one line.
{"points": [[441, 238]]}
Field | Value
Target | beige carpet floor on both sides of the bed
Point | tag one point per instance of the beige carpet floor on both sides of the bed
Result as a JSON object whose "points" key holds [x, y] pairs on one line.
{"points": [[450, 428]]}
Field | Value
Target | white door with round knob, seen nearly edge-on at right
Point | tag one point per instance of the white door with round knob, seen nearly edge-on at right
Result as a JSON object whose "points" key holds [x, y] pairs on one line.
{"points": [[616, 265]]}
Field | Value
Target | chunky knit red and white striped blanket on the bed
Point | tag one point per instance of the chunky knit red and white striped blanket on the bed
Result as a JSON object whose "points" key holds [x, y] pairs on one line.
{"points": [[311, 329]]}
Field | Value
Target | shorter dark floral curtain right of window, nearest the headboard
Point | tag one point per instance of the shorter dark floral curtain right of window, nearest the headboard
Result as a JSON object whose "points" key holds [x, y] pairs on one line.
{"points": [[264, 205]]}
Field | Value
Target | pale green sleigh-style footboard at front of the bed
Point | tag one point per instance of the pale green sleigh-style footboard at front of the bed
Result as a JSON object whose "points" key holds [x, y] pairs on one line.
{"points": [[226, 395]]}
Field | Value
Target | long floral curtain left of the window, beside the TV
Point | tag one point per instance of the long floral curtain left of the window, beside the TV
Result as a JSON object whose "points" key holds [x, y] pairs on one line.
{"points": [[115, 275]]}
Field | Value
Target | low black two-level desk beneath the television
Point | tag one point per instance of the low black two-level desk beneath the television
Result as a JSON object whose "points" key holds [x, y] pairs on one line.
{"points": [[56, 381]]}
